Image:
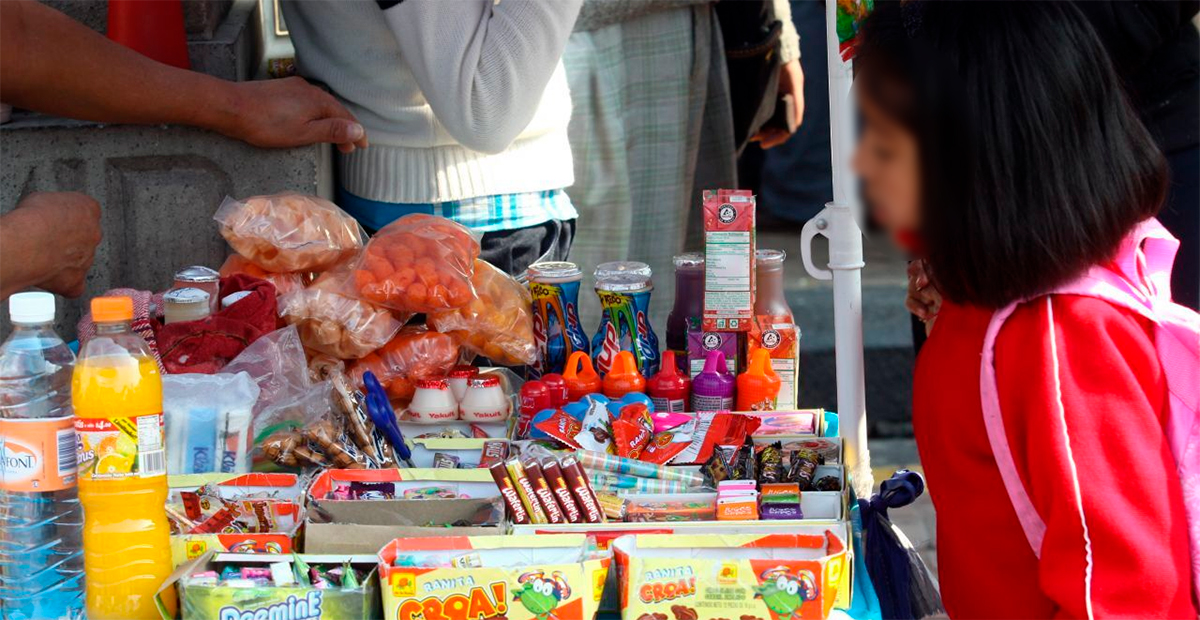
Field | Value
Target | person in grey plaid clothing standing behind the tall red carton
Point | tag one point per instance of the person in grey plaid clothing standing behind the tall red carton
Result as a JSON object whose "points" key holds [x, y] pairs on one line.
{"points": [[652, 128]]}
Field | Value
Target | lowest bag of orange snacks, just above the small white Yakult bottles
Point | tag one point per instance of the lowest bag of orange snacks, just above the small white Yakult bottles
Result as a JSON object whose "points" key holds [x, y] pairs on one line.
{"points": [[415, 354]]}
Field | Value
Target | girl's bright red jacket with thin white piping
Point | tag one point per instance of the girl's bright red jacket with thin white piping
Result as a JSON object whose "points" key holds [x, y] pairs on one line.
{"points": [[1117, 545]]}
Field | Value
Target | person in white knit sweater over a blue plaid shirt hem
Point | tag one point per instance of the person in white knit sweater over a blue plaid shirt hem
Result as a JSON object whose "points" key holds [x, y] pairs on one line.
{"points": [[467, 107]]}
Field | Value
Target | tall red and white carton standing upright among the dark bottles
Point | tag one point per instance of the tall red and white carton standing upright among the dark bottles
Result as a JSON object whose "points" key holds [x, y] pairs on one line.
{"points": [[729, 260]]}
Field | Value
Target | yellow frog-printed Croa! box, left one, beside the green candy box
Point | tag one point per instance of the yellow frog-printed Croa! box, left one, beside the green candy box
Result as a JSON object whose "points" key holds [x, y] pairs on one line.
{"points": [[493, 577]]}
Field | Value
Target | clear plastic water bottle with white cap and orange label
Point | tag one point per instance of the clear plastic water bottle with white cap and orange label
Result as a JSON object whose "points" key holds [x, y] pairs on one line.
{"points": [[41, 520]]}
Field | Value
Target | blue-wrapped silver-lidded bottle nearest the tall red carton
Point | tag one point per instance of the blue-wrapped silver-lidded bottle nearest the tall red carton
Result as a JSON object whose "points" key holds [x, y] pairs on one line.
{"points": [[625, 291]]}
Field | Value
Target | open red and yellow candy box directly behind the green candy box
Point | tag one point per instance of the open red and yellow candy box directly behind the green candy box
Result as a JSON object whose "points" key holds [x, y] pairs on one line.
{"points": [[185, 547]]}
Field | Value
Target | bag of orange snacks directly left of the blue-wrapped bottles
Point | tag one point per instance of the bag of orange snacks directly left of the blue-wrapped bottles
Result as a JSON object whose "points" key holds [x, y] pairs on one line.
{"points": [[497, 323]]}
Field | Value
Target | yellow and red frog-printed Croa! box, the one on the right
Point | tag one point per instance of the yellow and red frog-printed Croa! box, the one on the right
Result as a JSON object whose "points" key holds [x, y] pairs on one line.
{"points": [[772, 577]]}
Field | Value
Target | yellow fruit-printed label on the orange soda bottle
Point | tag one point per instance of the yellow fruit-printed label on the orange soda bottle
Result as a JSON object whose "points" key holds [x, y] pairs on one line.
{"points": [[122, 448]]}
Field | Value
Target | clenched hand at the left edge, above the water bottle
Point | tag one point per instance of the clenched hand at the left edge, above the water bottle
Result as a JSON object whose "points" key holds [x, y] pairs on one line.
{"points": [[50, 242]]}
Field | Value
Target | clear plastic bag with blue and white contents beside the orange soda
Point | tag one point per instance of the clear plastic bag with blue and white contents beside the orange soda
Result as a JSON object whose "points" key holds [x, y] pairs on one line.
{"points": [[208, 423]]}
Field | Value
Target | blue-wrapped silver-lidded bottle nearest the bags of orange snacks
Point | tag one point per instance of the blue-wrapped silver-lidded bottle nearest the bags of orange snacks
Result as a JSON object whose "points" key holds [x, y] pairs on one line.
{"points": [[555, 288]]}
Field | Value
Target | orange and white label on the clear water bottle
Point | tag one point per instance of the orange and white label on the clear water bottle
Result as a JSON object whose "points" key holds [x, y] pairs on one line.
{"points": [[39, 455]]}
